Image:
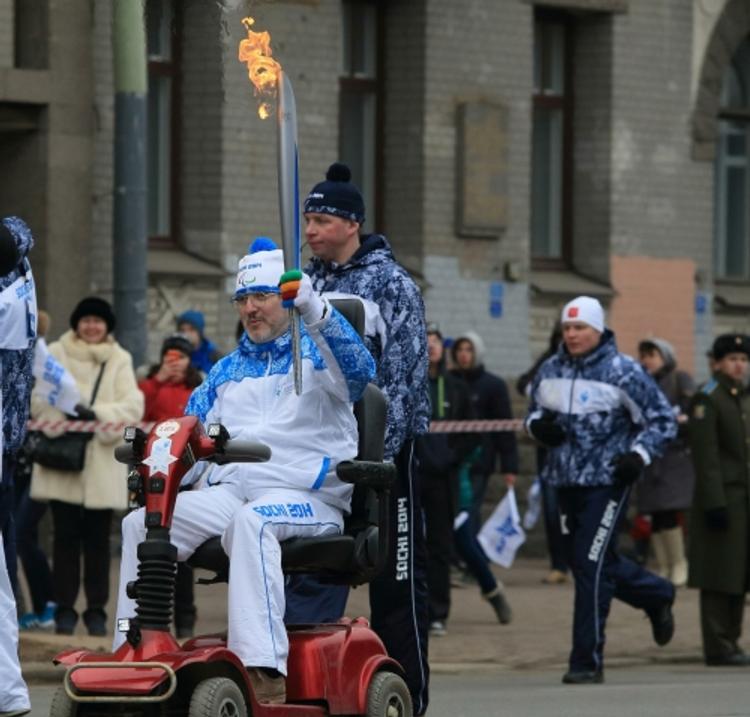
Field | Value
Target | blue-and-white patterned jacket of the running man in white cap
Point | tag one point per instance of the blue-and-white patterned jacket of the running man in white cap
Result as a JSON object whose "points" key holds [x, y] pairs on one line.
{"points": [[607, 405]]}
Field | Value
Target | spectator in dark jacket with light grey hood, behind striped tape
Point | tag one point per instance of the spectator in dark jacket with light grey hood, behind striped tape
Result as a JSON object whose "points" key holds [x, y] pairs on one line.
{"points": [[490, 399]]}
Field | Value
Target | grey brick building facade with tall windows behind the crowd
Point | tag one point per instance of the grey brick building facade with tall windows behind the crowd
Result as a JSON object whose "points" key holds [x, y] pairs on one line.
{"points": [[515, 153]]}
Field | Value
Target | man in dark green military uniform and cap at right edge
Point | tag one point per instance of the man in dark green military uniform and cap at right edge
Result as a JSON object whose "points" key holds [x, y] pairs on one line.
{"points": [[719, 554]]}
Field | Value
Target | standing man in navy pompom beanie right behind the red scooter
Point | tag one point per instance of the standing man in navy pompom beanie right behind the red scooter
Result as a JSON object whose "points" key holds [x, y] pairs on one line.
{"points": [[345, 263]]}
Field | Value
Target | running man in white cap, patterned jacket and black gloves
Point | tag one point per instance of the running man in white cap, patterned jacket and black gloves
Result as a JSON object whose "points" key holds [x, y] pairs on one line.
{"points": [[603, 419]]}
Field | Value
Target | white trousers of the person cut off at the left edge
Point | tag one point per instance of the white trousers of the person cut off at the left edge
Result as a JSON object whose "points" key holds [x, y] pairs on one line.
{"points": [[14, 695]]}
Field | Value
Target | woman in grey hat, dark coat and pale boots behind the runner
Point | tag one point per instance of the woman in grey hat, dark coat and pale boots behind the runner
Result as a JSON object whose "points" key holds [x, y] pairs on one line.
{"points": [[667, 486]]}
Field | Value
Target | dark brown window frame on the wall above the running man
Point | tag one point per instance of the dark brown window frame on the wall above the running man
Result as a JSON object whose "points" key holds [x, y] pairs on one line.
{"points": [[565, 102]]}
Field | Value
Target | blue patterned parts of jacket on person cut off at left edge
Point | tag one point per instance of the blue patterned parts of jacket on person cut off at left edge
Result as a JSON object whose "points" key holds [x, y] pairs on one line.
{"points": [[15, 365]]}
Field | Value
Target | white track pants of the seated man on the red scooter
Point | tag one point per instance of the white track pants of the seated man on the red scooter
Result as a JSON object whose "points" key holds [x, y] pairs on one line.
{"points": [[250, 534]]}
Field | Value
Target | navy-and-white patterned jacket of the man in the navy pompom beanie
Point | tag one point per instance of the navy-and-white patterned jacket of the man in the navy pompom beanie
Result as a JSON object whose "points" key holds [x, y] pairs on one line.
{"points": [[395, 334]]}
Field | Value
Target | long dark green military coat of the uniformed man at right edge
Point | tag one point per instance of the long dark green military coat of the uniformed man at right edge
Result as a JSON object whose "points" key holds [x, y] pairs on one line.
{"points": [[719, 432]]}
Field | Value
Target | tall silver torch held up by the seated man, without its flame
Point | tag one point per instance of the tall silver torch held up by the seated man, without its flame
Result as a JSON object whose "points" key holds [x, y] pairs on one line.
{"points": [[288, 161]]}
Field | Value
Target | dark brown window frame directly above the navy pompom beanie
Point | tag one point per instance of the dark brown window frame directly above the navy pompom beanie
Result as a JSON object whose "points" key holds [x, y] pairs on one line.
{"points": [[352, 85]]}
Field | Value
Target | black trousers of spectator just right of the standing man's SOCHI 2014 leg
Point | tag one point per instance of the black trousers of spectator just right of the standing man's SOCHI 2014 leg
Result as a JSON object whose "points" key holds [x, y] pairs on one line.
{"points": [[437, 498]]}
